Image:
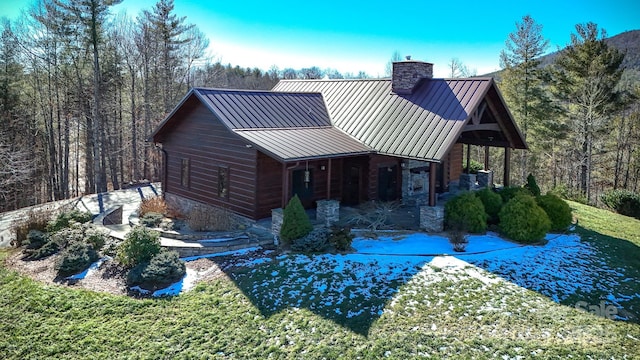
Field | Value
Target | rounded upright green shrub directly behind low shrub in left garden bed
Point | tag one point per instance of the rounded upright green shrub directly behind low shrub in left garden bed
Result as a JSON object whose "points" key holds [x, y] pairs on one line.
{"points": [[139, 246]]}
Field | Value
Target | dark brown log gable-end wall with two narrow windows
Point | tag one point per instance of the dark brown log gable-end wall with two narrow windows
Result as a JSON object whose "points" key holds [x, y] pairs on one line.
{"points": [[208, 145]]}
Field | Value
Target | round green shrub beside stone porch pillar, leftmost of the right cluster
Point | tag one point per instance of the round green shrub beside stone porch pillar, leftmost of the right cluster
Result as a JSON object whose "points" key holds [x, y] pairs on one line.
{"points": [[465, 212]]}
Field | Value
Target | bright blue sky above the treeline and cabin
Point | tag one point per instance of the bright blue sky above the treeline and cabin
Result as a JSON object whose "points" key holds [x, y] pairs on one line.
{"points": [[362, 35]]}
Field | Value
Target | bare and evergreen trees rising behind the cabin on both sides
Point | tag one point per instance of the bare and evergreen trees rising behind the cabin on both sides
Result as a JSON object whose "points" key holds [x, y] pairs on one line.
{"points": [[81, 89]]}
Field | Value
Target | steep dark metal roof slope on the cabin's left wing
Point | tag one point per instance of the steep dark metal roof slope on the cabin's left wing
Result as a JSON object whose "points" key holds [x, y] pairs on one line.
{"points": [[249, 109]]}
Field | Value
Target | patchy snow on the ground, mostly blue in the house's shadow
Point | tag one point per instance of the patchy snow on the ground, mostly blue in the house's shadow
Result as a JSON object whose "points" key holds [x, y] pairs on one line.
{"points": [[346, 284]]}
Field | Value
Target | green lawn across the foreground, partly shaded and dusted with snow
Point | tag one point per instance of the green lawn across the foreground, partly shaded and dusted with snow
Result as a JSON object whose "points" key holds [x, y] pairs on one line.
{"points": [[295, 306]]}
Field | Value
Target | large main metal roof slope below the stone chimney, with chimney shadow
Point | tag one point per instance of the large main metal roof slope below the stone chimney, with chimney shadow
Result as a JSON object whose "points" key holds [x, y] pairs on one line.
{"points": [[421, 125]]}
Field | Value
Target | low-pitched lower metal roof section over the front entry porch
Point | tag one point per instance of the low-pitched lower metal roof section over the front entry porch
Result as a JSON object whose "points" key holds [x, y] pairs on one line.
{"points": [[304, 143]]}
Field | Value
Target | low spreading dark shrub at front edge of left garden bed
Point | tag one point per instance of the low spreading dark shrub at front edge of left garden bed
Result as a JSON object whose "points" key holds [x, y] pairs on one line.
{"points": [[163, 269]]}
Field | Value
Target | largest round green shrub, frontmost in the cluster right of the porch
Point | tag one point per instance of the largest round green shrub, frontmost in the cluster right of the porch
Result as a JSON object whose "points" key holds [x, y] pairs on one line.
{"points": [[522, 220]]}
